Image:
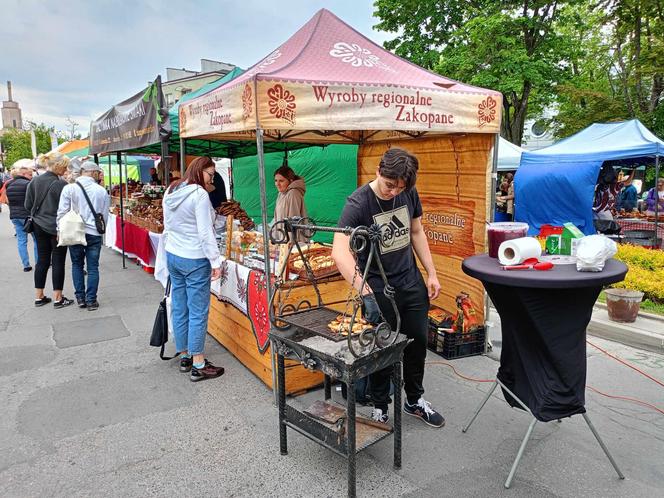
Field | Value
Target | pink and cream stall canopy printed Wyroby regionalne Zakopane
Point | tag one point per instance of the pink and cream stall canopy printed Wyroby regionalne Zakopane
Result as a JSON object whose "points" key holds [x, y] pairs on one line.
{"points": [[330, 84]]}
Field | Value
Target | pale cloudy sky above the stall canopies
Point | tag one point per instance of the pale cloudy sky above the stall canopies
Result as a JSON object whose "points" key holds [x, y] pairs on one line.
{"points": [[77, 58]]}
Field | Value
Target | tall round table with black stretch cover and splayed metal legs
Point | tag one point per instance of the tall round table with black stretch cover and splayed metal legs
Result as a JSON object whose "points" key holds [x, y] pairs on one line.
{"points": [[544, 315]]}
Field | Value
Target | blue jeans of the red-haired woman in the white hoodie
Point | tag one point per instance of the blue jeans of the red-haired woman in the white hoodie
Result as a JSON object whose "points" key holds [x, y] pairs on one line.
{"points": [[190, 301]]}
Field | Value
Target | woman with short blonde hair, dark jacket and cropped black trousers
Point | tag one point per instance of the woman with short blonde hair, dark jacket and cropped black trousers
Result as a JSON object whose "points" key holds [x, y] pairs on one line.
{"points": [[41, 200]]}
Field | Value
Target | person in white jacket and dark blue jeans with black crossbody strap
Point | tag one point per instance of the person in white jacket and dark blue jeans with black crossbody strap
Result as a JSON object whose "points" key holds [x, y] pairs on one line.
{"points": [[87, 177]]}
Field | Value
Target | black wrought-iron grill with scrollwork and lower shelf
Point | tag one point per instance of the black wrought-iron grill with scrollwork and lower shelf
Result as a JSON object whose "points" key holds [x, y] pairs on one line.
{"points": [[301, 332]]}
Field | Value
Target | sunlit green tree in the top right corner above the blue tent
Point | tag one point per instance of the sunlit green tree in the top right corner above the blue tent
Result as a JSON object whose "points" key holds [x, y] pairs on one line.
{"points": [[617, 67]]}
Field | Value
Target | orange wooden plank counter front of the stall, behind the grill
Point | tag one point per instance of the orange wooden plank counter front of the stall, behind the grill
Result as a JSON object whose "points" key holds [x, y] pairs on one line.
{"points": [[233, 330]]}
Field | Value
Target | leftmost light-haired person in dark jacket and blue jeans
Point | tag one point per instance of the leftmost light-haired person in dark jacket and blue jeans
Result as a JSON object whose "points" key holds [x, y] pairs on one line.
{"points": [[15, 191]]}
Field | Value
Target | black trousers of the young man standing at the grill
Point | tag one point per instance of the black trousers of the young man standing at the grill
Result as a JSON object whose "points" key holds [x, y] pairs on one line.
{"points": [[413, 305]]}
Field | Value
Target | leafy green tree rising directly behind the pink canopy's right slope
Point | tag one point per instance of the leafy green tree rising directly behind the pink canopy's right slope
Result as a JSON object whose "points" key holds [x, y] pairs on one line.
{"points": [[514, 46]]}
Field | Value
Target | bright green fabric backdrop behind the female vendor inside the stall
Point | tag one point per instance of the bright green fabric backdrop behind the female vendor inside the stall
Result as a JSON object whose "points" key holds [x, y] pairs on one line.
{"points": [[330, 175]]}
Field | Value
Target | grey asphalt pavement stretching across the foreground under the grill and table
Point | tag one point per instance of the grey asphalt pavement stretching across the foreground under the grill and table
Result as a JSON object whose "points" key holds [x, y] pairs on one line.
{"points": [[88, 409]]}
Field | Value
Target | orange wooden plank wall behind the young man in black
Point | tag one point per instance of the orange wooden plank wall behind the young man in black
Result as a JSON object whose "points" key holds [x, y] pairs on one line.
{"points": [[438, 158]]}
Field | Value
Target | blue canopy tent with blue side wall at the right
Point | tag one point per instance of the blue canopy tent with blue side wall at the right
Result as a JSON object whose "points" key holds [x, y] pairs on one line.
{"points": [[556, 184]]}
